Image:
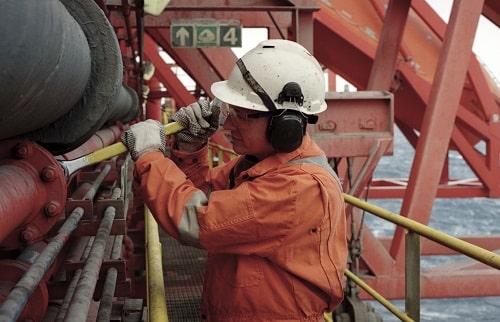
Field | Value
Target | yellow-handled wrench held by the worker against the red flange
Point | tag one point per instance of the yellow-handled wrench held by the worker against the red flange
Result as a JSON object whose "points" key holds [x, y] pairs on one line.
{"points": [[70, 166]]}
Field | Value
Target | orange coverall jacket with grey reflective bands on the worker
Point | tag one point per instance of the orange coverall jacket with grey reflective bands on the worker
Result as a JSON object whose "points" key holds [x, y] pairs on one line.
{"points": [[276, 240]]}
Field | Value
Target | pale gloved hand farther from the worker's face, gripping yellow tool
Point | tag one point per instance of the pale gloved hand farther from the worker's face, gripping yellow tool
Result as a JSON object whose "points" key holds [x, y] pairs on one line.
{"points": [[144, 137]]}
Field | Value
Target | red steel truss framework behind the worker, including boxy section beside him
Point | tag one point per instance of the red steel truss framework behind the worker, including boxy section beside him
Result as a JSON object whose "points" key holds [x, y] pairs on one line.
{"points": [[443, 99]]}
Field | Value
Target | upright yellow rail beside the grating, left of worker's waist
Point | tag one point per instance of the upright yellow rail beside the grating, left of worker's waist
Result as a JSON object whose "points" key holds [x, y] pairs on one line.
{"points": [[157, 304]]}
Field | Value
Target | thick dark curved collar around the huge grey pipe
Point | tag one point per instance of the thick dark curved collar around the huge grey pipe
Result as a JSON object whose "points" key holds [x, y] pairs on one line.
{"points": [[93, 109]]}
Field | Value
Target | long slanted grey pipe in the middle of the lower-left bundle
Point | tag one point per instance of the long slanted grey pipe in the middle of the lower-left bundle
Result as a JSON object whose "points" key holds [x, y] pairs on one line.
{"points": [[80, 303]]}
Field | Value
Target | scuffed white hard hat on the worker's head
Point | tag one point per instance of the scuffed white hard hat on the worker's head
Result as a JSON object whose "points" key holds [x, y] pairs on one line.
{"points": [[273, 64]]}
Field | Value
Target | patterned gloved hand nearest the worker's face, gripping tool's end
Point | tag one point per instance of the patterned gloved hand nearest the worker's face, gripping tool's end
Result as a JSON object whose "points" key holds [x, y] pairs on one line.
{"points": [[199, 120]]}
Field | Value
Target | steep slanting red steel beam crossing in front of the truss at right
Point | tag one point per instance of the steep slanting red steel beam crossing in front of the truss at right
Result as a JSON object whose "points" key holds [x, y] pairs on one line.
{"points": [[439, 117]]}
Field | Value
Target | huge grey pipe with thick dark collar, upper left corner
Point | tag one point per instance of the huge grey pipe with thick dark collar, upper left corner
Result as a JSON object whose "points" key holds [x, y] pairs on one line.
{"points": [[61, 73]]}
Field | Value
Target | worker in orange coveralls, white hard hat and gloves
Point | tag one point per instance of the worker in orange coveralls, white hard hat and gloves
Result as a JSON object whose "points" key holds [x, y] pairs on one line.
{"points": [[272, 220]]}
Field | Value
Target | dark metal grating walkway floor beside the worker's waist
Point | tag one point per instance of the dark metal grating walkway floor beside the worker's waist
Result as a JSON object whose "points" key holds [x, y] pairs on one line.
{"points": [[183, 270]]}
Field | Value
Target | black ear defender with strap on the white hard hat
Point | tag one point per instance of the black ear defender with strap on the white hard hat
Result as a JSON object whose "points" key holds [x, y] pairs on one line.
{"points": [[286, 128]]}
